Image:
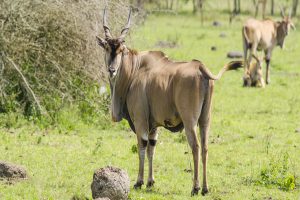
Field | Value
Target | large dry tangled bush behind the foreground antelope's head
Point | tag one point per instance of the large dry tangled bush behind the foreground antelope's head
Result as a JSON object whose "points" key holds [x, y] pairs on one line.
{"points": [[49, 58]]}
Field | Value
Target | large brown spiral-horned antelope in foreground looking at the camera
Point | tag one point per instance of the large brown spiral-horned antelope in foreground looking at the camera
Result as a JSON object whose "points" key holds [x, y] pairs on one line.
{"points": [[149, 91]]}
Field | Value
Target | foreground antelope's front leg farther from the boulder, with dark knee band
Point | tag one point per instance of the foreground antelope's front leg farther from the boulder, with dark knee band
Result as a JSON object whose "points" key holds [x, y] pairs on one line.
{"points": [[152, 138]]}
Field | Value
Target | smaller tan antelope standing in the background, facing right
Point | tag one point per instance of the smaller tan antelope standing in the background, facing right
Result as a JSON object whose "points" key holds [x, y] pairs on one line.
{"points": [[263, 35]]}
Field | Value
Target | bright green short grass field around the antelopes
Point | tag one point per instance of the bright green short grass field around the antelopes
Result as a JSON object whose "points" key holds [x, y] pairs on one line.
{"points": [[254, 149]]}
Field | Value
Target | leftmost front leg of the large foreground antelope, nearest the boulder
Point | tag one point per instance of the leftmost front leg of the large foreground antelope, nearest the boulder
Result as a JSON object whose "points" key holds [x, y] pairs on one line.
{"points": [[142, 144]]}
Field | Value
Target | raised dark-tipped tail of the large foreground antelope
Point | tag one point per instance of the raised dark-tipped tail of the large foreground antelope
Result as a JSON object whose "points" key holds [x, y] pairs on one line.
{"points": [[233, 65]]}
